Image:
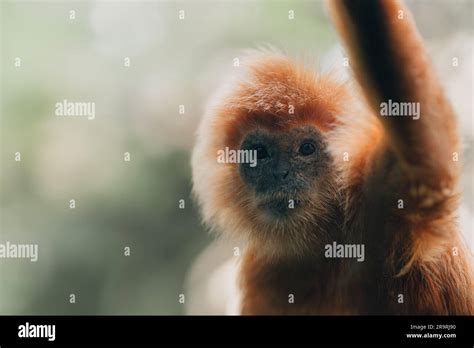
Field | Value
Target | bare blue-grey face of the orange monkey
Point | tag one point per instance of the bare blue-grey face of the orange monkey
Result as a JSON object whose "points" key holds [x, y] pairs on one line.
{"points": [[288, 167]]}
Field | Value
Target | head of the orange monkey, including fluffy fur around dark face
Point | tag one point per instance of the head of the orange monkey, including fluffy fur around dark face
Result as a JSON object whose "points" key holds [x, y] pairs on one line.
{"points": [[262, 169]]}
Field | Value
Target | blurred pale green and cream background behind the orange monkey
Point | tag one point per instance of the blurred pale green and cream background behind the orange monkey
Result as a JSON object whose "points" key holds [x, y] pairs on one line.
{"points": [[135, 204]]}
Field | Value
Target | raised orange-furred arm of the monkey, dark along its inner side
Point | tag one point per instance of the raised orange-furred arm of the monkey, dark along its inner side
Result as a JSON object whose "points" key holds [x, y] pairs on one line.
{"points": [[390, 63]]}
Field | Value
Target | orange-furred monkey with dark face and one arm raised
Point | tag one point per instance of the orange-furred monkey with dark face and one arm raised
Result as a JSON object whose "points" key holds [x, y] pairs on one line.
{"points": [[334, 171]]}
